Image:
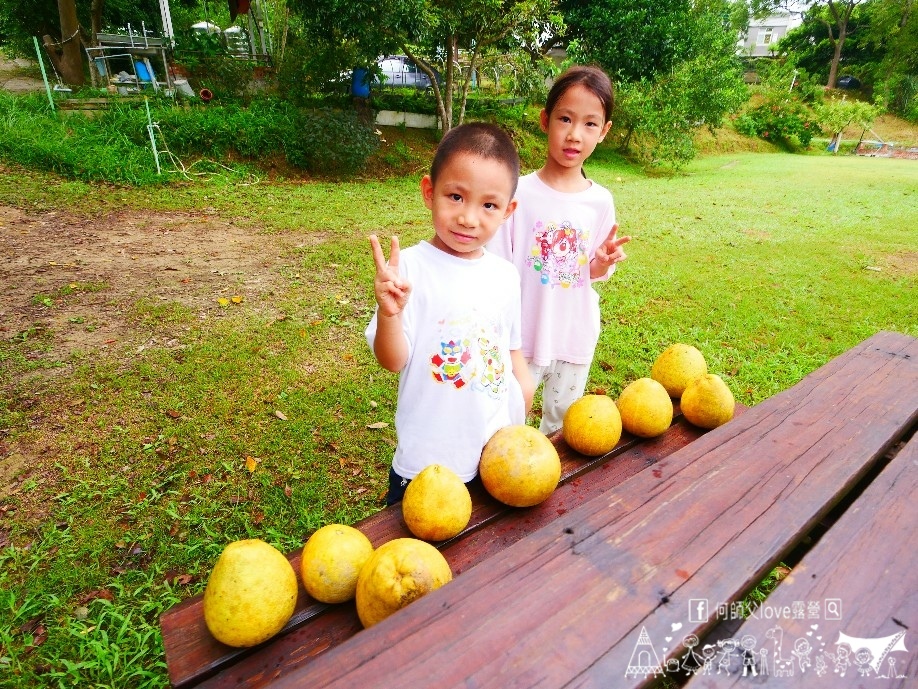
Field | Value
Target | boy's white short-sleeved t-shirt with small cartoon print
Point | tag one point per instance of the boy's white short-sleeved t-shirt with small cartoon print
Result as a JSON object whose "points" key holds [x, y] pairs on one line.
{"points": [[457, 389]]}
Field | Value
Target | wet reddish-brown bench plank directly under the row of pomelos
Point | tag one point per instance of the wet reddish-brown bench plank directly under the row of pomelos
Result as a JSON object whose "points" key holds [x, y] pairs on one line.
{"points": [[192, 654]]}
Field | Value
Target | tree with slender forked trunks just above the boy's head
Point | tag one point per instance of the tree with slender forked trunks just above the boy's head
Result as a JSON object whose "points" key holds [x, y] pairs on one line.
{"points": [[432, 33]]}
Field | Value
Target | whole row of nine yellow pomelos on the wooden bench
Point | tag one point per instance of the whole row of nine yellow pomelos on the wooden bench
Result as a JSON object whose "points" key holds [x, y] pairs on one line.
{"points": [[251, 593]]}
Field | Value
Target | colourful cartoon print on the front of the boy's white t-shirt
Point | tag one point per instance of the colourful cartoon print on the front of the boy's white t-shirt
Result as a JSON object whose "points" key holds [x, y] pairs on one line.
{"points": [[470, 358]]}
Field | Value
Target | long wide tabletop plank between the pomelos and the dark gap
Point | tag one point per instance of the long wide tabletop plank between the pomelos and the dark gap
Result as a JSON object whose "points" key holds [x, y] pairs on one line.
{"points": [[567, 604]]}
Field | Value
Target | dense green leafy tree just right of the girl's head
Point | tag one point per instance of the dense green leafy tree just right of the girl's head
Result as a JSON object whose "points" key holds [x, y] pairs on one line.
{"points": [[674, 63]]}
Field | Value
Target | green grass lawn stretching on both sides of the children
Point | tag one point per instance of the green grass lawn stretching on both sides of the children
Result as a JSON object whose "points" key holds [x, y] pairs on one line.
{"points": [[136, 463]]}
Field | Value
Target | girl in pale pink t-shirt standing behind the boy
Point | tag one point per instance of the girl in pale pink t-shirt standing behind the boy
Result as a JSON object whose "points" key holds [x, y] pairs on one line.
{"points": [[561, 239]]}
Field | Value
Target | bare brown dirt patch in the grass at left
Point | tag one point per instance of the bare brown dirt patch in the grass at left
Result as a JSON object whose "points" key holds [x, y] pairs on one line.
{"points": [[72, 283]]}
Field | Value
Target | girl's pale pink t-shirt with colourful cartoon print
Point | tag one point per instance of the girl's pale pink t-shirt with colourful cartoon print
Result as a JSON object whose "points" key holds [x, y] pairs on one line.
{"points": [[551, 239]]}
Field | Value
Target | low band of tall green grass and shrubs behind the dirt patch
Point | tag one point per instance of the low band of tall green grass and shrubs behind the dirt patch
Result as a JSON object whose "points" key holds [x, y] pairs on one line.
{"points": [[115, 146]]}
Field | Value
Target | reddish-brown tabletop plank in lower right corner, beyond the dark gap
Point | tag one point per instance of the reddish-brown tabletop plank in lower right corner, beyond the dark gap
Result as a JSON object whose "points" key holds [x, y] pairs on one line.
{"points": [[861, 581]]}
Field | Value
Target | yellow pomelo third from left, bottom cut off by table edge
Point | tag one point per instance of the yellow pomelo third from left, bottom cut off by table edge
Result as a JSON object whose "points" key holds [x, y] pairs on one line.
{"points": [[398, 573]]}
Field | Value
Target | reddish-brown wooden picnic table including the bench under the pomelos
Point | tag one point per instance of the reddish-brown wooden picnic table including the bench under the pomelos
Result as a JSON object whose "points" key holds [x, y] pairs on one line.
{"points": [[629, 571]]}
